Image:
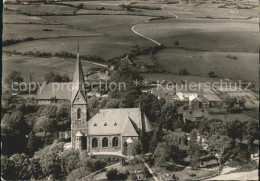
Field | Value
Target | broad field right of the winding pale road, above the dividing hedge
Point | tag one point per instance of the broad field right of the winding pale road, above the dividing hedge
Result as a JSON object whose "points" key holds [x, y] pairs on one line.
{"points": [[204, 34]]}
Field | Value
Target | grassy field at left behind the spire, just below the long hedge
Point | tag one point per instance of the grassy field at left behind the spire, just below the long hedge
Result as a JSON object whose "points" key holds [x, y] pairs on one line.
{"points": [[40, 66]]}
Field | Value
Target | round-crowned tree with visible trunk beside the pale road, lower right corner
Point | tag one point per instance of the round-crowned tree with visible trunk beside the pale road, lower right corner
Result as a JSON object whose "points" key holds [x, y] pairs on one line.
{"points": [[221, 146]]}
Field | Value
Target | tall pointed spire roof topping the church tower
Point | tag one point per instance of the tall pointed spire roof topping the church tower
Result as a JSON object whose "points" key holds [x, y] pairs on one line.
{"points": [[78, 79]]}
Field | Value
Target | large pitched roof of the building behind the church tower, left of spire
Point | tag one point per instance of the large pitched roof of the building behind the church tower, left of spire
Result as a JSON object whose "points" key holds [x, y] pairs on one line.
{"points": [[54, 90]]}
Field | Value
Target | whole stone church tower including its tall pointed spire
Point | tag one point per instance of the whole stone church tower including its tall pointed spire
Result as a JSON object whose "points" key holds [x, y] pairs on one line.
{"points": [[78, 109]]}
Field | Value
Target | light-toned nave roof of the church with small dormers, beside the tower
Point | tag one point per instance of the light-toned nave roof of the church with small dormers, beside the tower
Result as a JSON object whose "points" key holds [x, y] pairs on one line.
{"points": [[125, 121]]}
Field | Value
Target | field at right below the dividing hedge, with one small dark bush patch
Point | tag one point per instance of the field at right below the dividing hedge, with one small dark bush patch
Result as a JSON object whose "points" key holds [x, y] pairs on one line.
{"points": [[200, 63]]}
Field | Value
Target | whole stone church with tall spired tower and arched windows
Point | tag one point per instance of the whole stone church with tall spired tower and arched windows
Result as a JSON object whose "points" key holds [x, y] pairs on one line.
{"points": [[110, 130]]}
